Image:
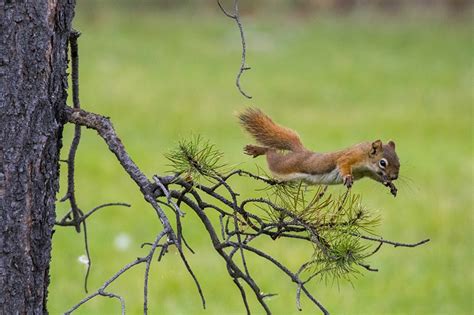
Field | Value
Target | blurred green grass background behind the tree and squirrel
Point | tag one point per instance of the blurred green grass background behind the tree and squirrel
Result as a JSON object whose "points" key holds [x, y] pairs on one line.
{"points": [[338, 78]]}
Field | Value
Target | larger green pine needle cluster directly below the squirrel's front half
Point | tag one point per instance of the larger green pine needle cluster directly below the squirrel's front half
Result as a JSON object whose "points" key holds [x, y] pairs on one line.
{"points": [[332, 222]]}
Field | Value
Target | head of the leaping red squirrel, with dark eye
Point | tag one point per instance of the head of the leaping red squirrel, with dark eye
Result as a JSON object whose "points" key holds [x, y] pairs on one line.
{"points": [[385, 161]]}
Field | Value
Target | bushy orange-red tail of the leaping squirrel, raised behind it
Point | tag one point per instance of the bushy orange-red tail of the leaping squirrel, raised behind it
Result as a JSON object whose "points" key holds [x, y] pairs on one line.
{"points": [[268, 133]]}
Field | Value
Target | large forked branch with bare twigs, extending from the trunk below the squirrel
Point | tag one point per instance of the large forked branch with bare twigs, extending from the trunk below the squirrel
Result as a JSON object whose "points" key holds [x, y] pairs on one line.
{"points": [[233, 213]]}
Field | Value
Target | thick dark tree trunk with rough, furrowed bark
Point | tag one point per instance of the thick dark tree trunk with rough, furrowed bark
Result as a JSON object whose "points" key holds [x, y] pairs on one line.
{"points": [[33, 81]]}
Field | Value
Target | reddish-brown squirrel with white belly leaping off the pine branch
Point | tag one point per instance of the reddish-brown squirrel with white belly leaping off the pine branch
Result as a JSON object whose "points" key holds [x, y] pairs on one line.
{"points": [[289, 160]]}
